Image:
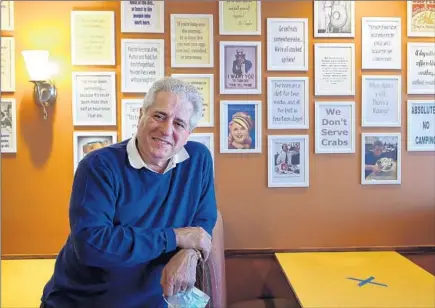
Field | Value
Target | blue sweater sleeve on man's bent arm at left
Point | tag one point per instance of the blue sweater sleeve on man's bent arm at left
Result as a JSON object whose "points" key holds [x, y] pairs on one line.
{"points": [[96, 240]]}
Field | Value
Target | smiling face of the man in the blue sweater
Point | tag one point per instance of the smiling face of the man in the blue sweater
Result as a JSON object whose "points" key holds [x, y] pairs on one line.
{"points": [[163, 128]]}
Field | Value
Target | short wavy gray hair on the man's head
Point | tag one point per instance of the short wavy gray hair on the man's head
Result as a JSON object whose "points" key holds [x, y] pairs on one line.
{"points": [[183, 90]]}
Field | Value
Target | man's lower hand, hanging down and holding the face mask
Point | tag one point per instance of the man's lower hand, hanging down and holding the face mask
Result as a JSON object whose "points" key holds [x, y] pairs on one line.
{"points": [[179, 274]]}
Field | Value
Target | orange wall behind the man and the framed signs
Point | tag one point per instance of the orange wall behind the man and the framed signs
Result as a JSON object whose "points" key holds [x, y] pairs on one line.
{"points": [[36, 182]]}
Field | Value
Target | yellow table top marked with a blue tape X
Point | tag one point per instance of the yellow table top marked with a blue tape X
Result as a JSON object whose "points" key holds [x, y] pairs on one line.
{"points": [[357, 279]]}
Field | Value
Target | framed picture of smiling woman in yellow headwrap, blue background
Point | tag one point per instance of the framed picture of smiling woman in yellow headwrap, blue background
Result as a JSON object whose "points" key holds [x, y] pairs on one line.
{"points": [[240, 126]]}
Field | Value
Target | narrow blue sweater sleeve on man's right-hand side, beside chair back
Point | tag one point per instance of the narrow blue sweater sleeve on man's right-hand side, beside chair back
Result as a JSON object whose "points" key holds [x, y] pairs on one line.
{"points": [[206, 214]]}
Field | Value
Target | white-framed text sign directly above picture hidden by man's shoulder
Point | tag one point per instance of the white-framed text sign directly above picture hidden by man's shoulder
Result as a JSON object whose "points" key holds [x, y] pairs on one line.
{"points": [[94, 98]]}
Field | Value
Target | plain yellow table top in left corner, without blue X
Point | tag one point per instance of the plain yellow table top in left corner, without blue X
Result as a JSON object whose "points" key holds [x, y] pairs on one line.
{"points": [[22, 282]]}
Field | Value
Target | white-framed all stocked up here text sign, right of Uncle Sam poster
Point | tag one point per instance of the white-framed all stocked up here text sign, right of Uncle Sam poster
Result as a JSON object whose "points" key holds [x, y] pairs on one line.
{"points": [[287, 44]]}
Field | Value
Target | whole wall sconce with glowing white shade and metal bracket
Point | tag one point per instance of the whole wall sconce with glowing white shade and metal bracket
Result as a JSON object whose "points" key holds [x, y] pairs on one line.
{"points": [[40, 71]]}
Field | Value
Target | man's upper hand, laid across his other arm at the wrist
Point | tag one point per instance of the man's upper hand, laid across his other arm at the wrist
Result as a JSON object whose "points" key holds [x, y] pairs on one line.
{"points": [[194, 237]]}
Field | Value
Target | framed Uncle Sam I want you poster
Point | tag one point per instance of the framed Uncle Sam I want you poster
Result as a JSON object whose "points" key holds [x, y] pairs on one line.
{"points": [[240, 67]]}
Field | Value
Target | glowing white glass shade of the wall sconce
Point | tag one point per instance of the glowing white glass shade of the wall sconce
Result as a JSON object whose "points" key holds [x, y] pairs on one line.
{"points": [[37, 64]]}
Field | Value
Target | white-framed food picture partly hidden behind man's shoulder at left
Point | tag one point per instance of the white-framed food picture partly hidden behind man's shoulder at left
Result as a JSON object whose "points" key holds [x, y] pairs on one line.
{"points": [[85, 142]]}
